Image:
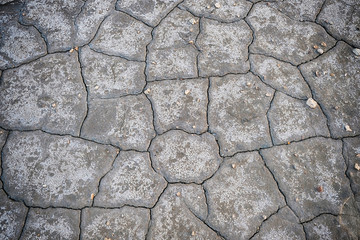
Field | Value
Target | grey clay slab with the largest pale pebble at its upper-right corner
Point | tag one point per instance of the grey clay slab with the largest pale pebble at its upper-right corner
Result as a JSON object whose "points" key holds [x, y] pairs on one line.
{"points": [[292, 120]]}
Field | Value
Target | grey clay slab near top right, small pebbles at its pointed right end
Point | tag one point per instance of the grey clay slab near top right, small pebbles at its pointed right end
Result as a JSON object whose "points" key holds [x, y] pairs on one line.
{"points": [[283, 38]]}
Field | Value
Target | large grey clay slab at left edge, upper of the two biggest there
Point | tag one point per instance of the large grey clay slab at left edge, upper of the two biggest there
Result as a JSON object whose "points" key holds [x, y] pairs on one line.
{"points": [[46, 94]]}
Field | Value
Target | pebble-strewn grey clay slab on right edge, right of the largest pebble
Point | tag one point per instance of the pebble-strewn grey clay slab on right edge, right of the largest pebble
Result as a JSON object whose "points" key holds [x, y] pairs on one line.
{"points": [[335, 80]]}
